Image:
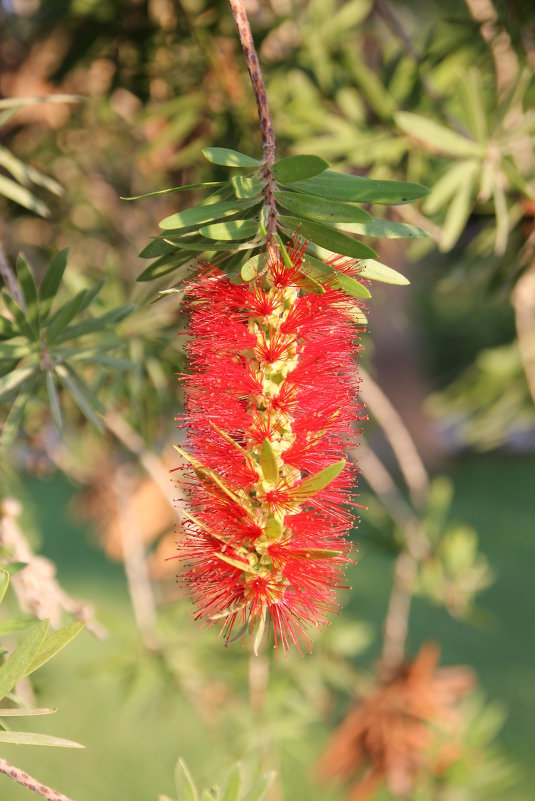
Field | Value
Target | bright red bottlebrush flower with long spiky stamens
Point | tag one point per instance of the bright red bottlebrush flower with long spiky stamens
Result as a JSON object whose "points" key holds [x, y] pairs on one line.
{"points": [[271, 402]]}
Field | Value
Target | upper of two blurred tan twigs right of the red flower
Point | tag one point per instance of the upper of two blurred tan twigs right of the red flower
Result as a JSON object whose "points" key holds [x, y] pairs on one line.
{"points": [[398, 435]]}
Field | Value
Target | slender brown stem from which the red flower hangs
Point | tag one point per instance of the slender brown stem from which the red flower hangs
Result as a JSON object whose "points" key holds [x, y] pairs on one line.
{"points": [[264, 113]]}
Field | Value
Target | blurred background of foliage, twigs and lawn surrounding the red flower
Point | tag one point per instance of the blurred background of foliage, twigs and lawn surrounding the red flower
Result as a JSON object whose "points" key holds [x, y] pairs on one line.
{"points": [[408, 90]]}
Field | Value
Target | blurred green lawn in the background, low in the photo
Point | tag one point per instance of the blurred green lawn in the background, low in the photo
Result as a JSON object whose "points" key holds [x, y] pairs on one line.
{"points": [[134, 725]]}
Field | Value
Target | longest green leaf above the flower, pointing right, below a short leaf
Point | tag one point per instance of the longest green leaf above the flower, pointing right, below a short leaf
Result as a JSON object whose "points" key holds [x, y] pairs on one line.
{"points": [[356, 189]]}
